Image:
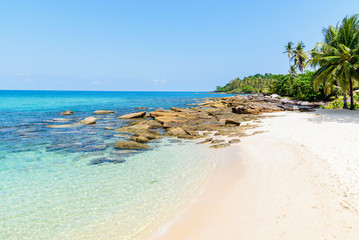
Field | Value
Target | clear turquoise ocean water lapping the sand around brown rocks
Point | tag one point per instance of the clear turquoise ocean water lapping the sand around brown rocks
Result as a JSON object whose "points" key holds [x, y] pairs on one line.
{"points": [[70, 183]]}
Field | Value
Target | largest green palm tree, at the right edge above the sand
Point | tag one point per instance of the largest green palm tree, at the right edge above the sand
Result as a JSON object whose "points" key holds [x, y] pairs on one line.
{"points": [[338, 57]]}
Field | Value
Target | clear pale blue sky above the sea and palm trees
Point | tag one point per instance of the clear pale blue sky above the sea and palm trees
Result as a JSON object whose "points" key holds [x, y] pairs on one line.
{"points": [[153, 45]]}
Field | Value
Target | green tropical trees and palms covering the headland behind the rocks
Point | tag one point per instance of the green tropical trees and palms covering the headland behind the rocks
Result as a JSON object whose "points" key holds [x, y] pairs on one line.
{"points": [[336, 64]]}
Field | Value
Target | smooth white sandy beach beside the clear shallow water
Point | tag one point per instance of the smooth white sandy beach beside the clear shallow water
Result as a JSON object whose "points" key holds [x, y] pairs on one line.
{"points": [[297, 180]]}
